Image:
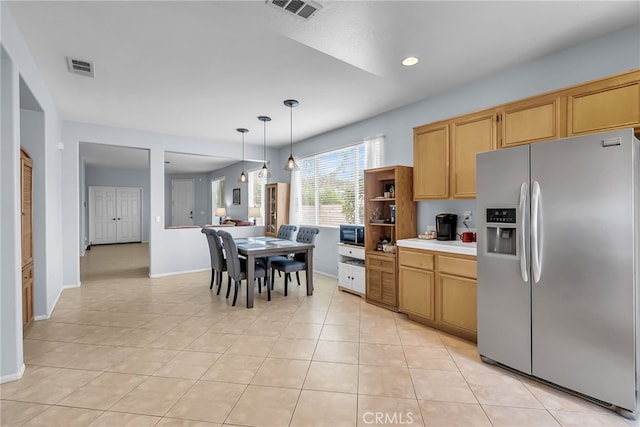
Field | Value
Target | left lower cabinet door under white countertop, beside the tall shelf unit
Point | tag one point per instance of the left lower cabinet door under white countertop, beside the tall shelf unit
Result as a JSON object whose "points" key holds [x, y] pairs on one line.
{"points": [[416, 292]]}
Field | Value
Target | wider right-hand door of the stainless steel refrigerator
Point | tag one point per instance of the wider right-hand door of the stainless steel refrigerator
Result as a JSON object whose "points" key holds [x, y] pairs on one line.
{"points": [[583, 326]]}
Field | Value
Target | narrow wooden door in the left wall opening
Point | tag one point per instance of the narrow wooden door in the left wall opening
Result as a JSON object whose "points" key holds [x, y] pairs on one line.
{"points": [[26, 206]]}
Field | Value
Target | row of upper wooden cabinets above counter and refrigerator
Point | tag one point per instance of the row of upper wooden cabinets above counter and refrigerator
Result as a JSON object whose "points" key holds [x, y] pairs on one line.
{"points": [[444, 152]]}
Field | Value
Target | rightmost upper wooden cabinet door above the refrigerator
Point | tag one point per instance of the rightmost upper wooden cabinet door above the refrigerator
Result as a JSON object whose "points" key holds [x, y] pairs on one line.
{"points": [[608, 104]]}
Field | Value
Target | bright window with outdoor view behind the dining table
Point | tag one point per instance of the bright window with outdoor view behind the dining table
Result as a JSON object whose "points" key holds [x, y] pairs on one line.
{"points": [[332, 184]]}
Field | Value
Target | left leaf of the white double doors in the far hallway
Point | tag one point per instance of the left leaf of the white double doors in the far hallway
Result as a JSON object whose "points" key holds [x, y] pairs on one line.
{"points": [[102, 215]]}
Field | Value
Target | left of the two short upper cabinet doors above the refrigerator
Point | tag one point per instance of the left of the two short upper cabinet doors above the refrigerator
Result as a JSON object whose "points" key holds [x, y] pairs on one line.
{"points": [[533, 120]]}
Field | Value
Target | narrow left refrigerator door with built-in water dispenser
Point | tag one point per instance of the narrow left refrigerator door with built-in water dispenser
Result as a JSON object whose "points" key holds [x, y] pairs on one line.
{"points": [[504, 295]]}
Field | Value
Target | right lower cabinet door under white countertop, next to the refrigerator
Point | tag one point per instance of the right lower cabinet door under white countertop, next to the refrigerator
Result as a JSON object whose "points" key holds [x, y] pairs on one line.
{"points": [[458, 302]]}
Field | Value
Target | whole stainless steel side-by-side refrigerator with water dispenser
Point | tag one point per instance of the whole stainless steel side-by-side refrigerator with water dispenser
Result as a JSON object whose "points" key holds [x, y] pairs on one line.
{"points": [[558, 280]]}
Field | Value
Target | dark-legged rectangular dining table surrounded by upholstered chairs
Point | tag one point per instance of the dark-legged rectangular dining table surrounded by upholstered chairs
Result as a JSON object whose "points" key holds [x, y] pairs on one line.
{"points": [[254, 248]]}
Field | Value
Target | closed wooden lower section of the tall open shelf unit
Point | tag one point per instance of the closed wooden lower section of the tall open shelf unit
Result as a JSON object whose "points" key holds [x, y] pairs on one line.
{"points": [[381, 281]]}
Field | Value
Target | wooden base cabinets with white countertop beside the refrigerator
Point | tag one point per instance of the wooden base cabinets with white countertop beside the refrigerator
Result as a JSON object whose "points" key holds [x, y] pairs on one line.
{"points": [[437, 284]]}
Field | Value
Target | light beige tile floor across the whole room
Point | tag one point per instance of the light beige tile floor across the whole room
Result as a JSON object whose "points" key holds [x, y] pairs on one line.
{"points": [[126, 350]]}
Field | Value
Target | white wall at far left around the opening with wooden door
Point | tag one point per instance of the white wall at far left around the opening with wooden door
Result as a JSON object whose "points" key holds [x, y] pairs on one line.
{"points": [[17, 63]]}
